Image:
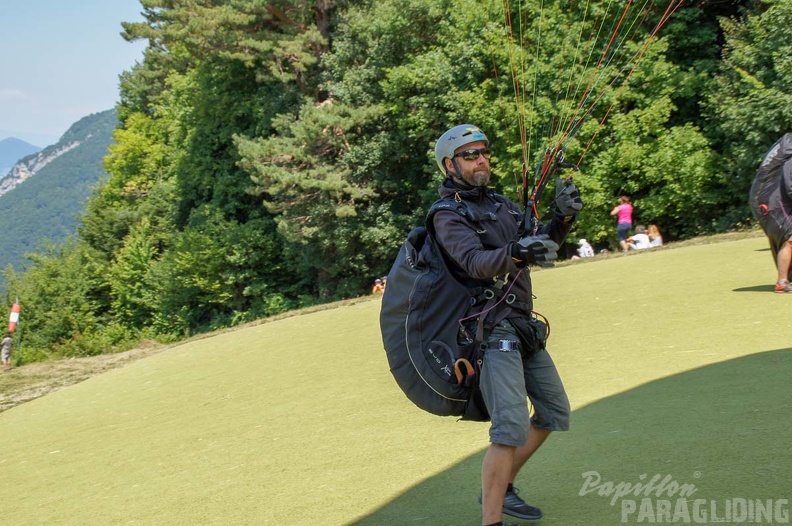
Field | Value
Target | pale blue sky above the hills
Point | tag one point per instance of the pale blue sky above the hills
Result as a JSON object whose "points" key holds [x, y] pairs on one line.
{"points": [[59, 62]]}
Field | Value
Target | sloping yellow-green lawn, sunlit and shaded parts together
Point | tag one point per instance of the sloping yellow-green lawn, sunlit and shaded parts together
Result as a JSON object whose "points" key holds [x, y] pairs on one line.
{"points": [[677, 362]]}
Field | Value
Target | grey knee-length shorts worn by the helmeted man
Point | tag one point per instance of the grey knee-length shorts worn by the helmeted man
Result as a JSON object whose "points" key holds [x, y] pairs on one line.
{"points": [[508, 381]]}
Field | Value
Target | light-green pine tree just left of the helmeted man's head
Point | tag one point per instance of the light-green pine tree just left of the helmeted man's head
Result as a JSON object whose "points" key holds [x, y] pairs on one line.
{"points": [[319, 196]]}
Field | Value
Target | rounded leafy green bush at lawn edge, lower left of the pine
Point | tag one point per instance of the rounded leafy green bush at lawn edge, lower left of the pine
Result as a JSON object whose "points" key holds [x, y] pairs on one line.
{"points": [[215, 274]]}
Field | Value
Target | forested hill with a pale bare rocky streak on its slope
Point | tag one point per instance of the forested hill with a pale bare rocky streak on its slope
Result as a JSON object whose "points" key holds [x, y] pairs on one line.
{"points": [[44, 193]]}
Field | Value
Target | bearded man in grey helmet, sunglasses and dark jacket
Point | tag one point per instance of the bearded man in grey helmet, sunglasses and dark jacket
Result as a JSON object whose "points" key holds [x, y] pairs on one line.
{"points": [[483, 247]]}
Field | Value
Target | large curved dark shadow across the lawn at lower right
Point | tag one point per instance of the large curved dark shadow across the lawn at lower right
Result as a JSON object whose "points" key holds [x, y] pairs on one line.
{"points": [[722, 429]]}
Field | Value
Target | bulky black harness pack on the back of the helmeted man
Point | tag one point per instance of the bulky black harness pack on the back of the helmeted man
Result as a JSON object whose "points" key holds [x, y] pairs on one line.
{"points": [[435, 328]]}
